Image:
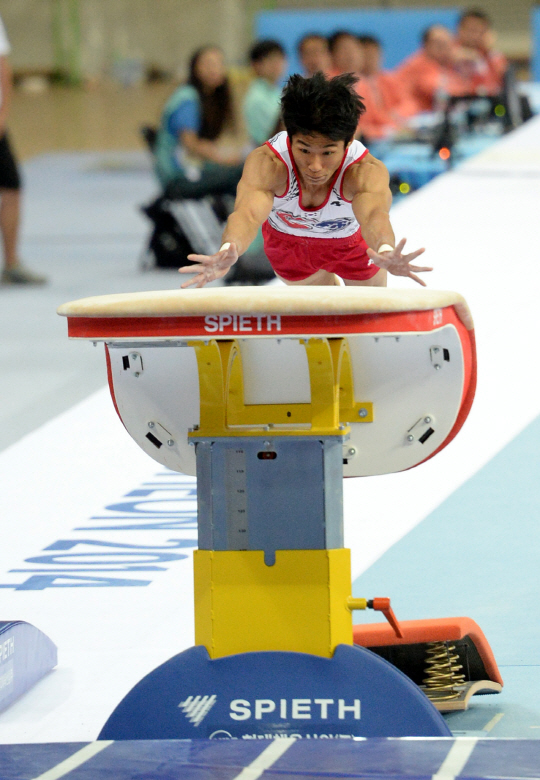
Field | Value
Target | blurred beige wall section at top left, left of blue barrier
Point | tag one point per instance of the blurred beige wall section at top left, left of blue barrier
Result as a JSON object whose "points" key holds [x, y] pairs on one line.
{"points": [[162, 33]]}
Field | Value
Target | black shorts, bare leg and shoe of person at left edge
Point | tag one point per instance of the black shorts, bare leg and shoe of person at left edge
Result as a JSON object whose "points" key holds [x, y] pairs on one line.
{"points": [[10, 211]]}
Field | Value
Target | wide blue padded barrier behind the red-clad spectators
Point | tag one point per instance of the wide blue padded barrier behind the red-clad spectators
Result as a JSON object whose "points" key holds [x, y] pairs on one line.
{"points": [[398, 30]]}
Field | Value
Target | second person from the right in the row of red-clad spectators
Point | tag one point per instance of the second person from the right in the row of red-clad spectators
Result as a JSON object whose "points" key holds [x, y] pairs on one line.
{"points": [[431, 74]]}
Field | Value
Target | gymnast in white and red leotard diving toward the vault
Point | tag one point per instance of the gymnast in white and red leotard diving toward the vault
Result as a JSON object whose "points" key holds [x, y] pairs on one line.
{"points": [[322, 199]]}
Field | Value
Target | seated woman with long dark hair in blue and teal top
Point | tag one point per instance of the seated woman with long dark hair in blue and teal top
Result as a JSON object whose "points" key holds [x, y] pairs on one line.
{"points": [[189, 161]]}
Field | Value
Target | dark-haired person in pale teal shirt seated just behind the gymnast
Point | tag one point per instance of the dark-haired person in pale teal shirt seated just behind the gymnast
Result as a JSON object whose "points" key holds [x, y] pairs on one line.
{"points": [[262, 102]]}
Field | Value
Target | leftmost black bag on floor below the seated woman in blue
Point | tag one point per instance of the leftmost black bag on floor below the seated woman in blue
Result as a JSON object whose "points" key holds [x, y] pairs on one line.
{"points": [[168, 246]]}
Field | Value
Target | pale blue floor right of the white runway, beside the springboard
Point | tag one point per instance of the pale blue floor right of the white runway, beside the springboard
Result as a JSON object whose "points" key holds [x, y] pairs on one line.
{"points": [[478, 555]]}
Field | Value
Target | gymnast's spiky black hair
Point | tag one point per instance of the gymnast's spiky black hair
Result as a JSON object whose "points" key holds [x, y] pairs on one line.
{"points": [[329, 107]]}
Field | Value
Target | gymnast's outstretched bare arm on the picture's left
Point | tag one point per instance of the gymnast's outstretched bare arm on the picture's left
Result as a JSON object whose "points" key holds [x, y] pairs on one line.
{"points": [[263, 175]]}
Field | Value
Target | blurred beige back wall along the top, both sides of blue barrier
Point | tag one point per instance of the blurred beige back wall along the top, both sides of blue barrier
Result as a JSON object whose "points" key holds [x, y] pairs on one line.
{"points": [[164, 32]]}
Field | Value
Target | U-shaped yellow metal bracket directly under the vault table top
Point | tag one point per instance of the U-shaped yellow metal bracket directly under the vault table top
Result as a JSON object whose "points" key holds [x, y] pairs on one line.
{"points": [[223, 411]]}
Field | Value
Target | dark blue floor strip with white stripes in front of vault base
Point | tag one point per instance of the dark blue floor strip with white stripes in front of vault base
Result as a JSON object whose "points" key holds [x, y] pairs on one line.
{"points": [[227, 760]]}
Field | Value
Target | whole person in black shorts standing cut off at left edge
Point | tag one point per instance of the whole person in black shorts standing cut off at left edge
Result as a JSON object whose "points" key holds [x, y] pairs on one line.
{"points": [[10, 184]]}
